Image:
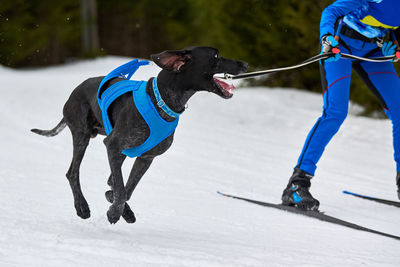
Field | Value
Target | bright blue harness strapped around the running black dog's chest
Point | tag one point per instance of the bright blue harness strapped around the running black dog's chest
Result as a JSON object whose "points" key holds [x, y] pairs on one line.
{"points": [[159, 128]]}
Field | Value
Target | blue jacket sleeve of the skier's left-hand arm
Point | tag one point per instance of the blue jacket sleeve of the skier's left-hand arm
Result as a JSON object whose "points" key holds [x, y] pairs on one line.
{"points": [[337, 10]]}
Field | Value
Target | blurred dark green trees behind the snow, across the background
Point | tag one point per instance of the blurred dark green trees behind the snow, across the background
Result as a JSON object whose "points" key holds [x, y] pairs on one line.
{"points": [[265, 33]]}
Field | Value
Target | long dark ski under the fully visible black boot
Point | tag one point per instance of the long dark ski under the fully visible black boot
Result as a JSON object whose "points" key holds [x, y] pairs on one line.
{"points": [[313, 214]]}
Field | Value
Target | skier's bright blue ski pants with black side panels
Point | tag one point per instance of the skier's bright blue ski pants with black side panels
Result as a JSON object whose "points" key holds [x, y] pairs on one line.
{"points": [[381, 79]]}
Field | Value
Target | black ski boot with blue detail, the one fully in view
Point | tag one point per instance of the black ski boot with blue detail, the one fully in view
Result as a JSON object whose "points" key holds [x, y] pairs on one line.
{"points": [[297, 192]]}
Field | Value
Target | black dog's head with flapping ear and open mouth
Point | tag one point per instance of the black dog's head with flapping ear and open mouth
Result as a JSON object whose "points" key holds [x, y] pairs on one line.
{"points": [[197, 67]]}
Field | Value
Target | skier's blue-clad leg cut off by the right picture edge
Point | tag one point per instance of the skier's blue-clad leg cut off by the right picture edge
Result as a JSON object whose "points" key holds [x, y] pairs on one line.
{"points": [[383, 81]]}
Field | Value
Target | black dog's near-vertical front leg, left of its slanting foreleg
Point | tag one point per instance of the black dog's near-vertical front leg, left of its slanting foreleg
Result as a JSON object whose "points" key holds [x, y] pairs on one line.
{"points": [[116, 158]]}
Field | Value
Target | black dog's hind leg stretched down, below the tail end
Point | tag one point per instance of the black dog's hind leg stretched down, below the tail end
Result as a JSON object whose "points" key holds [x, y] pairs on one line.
{"points": [[80, 142]]}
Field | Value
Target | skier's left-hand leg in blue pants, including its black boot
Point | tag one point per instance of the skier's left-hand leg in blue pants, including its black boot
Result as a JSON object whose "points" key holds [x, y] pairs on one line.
{"points": [[336, 78]]}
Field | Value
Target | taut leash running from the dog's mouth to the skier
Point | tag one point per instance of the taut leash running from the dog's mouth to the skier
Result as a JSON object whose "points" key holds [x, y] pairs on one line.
{"points": [[304, 63]]}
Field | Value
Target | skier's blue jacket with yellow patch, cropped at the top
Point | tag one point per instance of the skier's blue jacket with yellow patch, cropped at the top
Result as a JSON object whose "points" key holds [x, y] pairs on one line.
{"points": [[371, 18]]}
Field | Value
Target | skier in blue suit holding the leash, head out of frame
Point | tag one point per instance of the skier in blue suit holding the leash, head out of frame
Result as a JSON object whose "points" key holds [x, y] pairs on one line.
{"points": [[361, 26]]}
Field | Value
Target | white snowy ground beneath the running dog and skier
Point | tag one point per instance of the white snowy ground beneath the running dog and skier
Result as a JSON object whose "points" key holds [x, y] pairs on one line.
{"points": [[246, 145]]}
